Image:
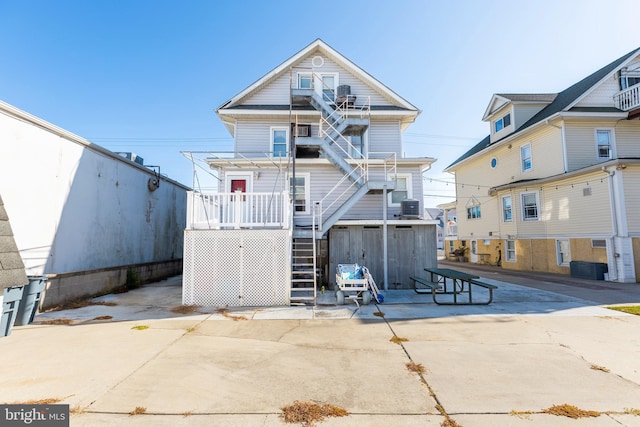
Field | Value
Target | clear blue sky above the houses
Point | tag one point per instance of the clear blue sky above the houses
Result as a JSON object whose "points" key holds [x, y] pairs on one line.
{"points": [[147, 75]]}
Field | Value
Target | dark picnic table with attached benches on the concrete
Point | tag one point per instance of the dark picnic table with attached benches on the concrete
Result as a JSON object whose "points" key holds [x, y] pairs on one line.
{"points": [[437, 285]]}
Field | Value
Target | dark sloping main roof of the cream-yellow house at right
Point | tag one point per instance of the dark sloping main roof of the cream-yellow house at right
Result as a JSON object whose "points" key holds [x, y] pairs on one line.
{"points": [[564, 101]]}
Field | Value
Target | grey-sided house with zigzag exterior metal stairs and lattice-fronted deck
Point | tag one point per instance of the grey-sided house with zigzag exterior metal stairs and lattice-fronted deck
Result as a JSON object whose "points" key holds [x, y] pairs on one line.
{"points": [[316, 179]]}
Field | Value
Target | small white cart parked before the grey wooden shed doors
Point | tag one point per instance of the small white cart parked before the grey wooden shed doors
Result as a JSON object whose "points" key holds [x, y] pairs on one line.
{"points": [[355, 282]]}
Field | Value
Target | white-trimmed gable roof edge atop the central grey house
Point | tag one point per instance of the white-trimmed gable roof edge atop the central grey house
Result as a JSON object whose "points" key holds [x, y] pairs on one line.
{"points": [[319, 46]]}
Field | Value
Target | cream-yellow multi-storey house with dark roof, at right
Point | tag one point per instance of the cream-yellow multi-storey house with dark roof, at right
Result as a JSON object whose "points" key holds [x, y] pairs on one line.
{"points": [[558, 178]]}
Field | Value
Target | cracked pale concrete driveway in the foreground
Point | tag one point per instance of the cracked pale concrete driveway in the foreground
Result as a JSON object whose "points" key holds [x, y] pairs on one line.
{"points": [[498, 365]]}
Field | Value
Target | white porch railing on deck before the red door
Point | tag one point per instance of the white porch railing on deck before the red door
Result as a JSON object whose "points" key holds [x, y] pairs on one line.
{"points": [[215, 211]]}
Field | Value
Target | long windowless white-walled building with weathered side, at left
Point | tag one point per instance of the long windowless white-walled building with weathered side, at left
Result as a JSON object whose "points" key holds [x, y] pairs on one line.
{"points": [[87, 218]]}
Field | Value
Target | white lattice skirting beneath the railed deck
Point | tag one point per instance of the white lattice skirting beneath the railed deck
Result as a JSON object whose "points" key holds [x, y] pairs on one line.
{"points": [[232, 268]]}
